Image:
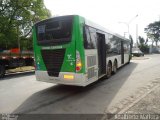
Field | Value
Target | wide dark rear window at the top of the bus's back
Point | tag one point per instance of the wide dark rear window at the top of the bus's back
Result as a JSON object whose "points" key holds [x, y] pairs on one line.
{"points": [[54, 32]]}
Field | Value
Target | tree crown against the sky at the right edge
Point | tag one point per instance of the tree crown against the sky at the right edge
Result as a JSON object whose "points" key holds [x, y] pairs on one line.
{"points": [[153, 31]]}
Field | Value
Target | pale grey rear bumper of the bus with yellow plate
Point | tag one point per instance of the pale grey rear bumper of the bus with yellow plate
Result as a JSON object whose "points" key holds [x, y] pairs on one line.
{"points": [[66, 78]]}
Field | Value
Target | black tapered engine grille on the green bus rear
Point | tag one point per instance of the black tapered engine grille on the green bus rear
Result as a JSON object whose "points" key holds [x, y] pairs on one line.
{"points": [[53, 60]]}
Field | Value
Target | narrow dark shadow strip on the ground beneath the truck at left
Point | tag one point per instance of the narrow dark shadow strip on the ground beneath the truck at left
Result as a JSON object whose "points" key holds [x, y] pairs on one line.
{"points": [[17, 75]]}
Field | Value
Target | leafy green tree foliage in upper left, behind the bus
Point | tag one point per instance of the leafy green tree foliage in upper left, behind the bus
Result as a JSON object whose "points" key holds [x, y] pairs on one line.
{"points": [[17, 18]]}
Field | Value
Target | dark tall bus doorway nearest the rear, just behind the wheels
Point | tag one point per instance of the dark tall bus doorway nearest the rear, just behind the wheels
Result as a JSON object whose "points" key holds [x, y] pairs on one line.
{"points": [[101, 47]]}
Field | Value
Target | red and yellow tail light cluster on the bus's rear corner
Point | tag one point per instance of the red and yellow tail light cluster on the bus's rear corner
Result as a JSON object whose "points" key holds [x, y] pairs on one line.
{"points": [[78, 62]]}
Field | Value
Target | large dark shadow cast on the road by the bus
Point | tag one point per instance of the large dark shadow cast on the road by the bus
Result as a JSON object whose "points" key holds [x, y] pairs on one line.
{"points": [[73, 99]]}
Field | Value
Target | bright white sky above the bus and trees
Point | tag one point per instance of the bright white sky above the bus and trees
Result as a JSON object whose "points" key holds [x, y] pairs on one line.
{"points": [[111, 14]]}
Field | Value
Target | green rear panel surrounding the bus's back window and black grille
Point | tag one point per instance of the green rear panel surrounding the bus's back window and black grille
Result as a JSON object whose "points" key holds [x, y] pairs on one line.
{"points": [[45, 55]]}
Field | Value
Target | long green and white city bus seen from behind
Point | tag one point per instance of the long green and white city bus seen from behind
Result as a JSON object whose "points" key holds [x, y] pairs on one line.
{"points": [[72, 50]]}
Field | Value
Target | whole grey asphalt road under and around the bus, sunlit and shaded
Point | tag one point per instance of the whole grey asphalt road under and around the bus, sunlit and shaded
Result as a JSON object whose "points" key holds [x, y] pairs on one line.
{"points": [[21, 93]]}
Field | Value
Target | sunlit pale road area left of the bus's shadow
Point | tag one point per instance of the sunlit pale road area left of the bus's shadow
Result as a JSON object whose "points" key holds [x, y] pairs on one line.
{"points": [[16, 88]]}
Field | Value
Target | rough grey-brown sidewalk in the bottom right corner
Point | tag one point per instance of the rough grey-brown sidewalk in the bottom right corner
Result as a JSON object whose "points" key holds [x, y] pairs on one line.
{"points": [[145, 108]]}
